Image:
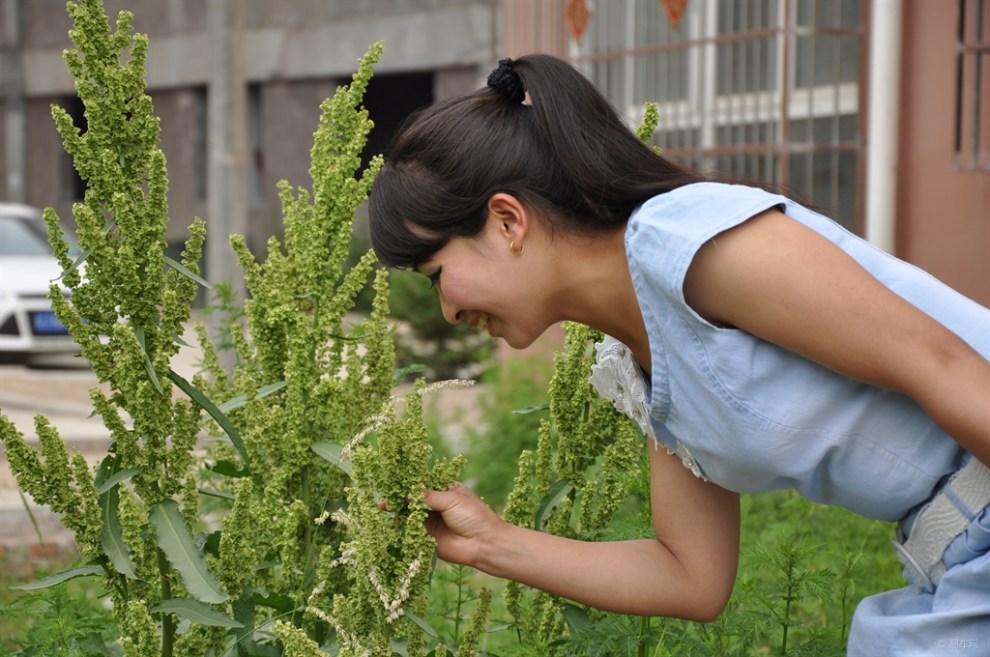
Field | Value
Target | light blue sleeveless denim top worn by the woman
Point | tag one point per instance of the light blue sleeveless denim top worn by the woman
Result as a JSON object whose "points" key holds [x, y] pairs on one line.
{"points": [[757, 417]]}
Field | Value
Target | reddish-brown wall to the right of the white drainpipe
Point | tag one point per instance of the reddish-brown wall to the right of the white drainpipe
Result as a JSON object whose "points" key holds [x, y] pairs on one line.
{"points": [[943, 212]]}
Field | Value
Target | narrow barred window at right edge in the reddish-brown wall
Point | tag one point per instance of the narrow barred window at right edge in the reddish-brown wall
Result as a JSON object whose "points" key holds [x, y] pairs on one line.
{"points": [[972, 120]]}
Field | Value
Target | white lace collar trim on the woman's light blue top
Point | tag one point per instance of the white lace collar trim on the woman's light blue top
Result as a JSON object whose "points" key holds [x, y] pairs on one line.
{"points": [[615, 376]]}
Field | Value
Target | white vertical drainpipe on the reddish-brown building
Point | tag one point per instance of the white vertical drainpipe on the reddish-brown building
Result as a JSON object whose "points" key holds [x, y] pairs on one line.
{"points": [[882, 122]]}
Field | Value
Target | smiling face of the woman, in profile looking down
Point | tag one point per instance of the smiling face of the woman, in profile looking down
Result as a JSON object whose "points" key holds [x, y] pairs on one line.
{"points": [[480, 280]]}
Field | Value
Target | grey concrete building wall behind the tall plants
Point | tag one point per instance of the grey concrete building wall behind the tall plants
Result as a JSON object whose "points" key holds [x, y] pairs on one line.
{"points": [[295, 53]]}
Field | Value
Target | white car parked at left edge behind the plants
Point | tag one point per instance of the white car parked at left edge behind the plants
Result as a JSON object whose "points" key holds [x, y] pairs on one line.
{"points": [[27, 269]]}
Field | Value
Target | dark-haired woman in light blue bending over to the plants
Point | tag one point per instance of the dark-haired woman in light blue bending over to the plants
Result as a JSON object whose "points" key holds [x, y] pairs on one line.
{"points": [[758, 342]]}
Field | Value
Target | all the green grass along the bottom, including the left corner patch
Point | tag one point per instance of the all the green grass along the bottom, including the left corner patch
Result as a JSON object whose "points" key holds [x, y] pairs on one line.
{"points": [[803, 568]]}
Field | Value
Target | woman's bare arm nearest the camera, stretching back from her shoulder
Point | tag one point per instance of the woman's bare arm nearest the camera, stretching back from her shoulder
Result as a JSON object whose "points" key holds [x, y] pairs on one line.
{"points": [[778, 279]]}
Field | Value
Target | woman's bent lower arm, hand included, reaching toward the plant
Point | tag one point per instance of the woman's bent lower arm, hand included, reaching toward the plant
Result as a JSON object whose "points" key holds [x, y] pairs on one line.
{"points": [[686, 572]]}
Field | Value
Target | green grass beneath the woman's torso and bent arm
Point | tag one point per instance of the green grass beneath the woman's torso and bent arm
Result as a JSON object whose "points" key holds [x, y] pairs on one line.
{"points": [[803, 569]]}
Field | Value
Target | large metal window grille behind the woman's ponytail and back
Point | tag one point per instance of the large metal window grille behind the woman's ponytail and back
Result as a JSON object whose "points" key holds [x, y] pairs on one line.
{"points": [[764, 89]]}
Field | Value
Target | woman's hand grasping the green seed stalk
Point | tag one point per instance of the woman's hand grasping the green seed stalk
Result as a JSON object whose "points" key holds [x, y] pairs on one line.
{"points": [[461, 524]]}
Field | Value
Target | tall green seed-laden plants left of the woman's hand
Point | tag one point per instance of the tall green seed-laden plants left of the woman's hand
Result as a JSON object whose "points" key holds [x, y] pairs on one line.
{"points": [[220, 555]]}
